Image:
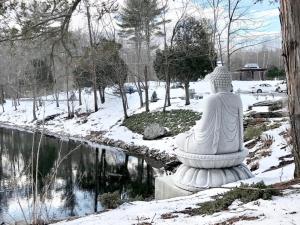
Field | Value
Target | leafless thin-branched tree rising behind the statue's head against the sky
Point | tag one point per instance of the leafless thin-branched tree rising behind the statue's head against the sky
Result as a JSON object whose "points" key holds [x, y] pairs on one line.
{"points": [[232, 25]]}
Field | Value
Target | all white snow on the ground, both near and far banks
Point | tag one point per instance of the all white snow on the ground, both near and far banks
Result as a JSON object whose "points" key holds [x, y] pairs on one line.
{"points": [[109, 119]]}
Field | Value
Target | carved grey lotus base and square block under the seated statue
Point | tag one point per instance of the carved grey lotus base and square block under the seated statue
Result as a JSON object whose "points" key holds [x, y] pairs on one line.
{"points": [[199, 172]]}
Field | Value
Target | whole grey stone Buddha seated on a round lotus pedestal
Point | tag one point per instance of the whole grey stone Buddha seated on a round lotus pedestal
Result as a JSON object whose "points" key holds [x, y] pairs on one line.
{"points": [[212, 154]]}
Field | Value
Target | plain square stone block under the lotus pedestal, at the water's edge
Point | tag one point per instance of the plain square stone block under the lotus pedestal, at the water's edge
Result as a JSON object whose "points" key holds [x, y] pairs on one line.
{"points": [[165, 188]]}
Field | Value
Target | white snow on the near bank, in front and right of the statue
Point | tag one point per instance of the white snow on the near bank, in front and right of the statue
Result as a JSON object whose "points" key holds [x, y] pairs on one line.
{"points": [[280, 210]]}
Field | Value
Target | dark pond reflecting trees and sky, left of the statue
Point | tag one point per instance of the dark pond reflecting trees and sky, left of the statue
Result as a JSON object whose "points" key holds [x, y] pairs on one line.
{"points": [[71, 176]]}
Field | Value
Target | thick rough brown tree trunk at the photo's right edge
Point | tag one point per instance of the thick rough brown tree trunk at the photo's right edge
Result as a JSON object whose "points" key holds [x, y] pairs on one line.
{"points": [[290, 20]]}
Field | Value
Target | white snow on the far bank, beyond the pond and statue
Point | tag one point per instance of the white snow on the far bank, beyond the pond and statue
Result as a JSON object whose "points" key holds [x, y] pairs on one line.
{"points": [[110, 115]]}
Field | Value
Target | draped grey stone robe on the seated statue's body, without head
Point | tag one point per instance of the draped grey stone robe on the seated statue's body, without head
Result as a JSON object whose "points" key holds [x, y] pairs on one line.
{"points": [[220, 129]]}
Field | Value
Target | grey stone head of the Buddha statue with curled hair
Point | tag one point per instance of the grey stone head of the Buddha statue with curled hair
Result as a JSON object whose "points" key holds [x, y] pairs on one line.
{"points": [[220, 80]]}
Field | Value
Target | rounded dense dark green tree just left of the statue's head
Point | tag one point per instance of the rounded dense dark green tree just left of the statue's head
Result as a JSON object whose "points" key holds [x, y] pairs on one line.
{"points": [[188, 59]]}
